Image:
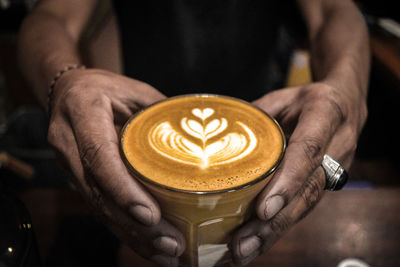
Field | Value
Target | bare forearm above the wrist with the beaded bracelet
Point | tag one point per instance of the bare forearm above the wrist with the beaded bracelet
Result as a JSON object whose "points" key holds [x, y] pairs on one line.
{"points": [[45, 47]]}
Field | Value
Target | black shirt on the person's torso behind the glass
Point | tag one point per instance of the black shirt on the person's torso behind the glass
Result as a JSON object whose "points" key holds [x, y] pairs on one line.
{"points": [[239, 48]]}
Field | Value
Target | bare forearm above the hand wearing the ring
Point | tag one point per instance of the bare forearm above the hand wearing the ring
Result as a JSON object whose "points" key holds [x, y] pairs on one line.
{"points": [[339, 46]]}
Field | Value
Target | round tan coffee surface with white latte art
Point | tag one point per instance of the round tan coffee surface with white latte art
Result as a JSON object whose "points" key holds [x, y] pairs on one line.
{"points": [[202, 143]]}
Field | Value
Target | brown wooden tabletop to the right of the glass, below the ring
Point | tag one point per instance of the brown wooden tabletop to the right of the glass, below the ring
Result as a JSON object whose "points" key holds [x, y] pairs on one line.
{"points": [[364, 224]]}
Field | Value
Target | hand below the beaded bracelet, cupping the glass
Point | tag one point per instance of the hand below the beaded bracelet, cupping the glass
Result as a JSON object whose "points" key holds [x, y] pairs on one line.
{"points": [[89, 108]]}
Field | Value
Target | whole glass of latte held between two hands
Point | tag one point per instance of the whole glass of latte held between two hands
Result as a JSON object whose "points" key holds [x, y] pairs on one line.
{"points": [[204, 158]]}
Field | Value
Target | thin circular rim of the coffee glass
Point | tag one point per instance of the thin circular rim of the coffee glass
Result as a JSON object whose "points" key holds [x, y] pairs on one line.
{"points": [[144, 179]]}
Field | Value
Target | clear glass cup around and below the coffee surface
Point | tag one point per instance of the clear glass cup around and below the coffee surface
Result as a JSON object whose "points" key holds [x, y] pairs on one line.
{"points": [[207, 219]]}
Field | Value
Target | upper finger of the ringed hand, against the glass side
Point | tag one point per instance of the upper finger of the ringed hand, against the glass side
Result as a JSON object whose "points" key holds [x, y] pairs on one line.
{"points": [[307, 145]]}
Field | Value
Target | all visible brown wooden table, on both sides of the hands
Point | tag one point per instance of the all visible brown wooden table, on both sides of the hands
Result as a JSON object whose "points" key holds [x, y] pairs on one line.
{"points": [[354, 223]]}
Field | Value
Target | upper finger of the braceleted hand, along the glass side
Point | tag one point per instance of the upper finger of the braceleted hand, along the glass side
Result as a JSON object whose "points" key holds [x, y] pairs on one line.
{"points": [[94, 131]]}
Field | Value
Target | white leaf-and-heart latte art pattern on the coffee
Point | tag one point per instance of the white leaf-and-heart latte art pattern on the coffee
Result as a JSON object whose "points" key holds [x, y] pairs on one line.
{"points": [[228, 148]]}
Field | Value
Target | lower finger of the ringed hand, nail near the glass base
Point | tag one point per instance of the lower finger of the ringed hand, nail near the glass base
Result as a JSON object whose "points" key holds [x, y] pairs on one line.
{"points": [[257, 236]]}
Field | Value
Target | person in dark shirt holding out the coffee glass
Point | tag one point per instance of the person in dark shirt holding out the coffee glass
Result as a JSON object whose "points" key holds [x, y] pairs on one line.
{"points": [[175, 47]]}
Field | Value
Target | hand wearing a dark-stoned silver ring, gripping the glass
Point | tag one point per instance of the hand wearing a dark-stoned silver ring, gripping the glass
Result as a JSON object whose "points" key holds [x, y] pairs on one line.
{"points": [[320, 119]]}
